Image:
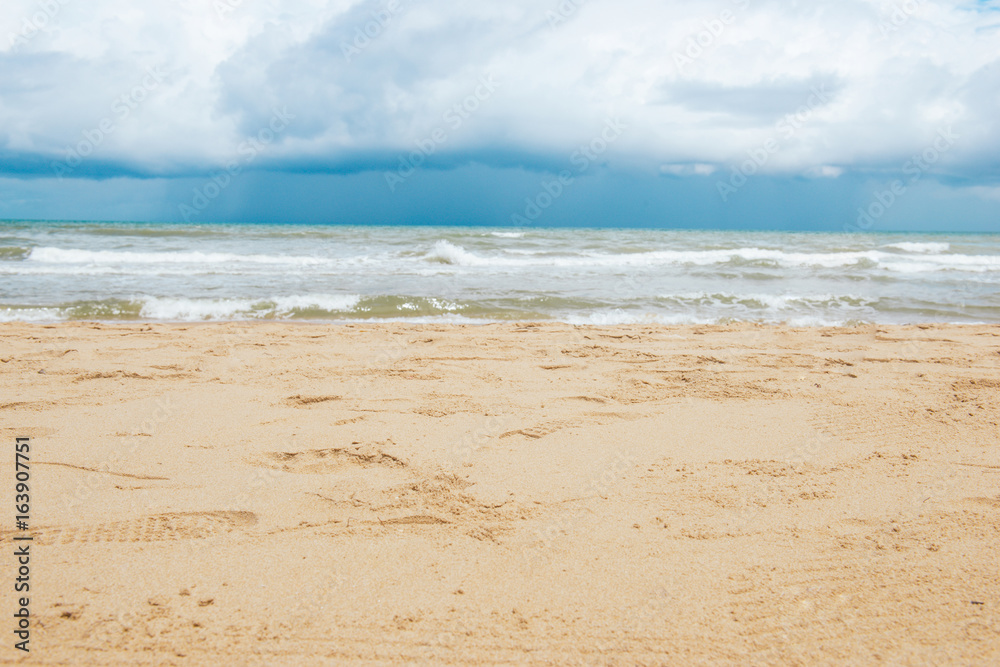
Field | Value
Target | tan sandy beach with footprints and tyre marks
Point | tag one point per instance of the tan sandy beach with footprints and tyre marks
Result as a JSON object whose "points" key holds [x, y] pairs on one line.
{"points": [[506, 494]]}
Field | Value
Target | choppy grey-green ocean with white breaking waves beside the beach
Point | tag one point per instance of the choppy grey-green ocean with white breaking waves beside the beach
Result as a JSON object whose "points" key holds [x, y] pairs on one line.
{"points": [[53, 271]]}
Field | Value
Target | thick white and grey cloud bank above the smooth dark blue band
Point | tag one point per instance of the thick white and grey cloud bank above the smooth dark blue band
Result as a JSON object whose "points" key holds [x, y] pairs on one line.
{"points": [[367, 82]]}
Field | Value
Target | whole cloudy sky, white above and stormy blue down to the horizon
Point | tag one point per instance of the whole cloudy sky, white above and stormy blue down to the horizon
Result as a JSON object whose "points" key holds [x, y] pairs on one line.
{"points": [[852, 115]]}
